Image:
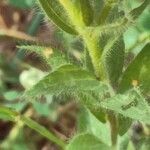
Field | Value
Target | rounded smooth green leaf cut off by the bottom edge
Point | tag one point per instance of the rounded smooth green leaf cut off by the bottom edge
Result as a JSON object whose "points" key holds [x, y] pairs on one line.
{"points": [[86, 142]]}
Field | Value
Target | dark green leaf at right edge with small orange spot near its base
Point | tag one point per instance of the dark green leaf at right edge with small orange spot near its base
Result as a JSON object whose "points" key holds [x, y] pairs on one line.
{"points": [[138, 71]]}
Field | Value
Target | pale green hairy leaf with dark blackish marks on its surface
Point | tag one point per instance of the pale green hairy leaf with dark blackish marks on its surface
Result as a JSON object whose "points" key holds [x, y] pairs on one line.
{"points": [[131, 105]]}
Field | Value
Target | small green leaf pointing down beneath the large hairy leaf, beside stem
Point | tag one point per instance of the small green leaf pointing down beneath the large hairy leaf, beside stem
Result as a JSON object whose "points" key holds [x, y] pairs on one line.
{"points": [[91, 99]]}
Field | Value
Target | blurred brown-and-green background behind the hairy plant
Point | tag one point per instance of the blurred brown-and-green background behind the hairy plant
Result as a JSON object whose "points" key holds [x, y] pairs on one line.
{"points": [[22, 23]]}
